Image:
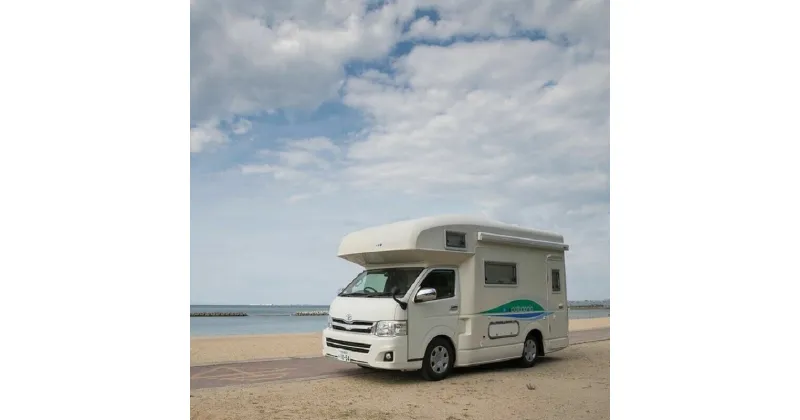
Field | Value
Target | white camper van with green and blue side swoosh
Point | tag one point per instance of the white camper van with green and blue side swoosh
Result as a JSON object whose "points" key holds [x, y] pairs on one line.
{"points": [[449, 291]]}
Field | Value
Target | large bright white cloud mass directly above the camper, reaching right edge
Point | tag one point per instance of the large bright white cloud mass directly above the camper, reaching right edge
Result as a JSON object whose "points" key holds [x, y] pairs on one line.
{"points": [[479, 120]]}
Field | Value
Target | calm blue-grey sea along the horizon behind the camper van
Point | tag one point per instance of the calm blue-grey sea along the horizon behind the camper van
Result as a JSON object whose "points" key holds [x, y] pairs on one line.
{"points": [[275, 319]]}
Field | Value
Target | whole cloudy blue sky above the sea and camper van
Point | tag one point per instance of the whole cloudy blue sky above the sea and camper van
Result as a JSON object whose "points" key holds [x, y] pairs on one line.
{"points": [[312, 119]]}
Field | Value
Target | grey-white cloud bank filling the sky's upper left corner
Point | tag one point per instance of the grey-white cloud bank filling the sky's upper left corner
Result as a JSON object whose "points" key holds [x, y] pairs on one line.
{"points": [[250, 57]]}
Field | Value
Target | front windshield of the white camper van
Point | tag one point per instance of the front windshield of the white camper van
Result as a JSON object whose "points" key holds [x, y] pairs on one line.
{"points": [[379, 282]]}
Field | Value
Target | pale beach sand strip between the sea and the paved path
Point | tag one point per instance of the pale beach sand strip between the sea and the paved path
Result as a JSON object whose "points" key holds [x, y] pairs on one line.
{"points": [[207, 350]]}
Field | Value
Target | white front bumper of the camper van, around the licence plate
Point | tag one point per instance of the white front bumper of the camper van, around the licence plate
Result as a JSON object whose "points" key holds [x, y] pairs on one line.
{"points": [[368, 349]]}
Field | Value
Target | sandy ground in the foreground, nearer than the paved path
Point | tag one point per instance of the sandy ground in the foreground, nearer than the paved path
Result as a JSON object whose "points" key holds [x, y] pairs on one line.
{"points": [[570, 384]]}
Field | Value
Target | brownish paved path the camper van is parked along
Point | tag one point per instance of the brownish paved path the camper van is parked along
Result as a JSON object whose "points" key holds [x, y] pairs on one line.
{"points": [[303, 369]]}
